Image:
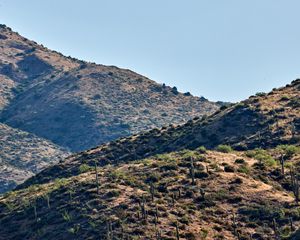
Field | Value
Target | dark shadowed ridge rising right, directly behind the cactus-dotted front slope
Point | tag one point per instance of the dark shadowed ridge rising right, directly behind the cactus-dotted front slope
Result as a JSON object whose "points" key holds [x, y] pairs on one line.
{"points": [[266, 120]]}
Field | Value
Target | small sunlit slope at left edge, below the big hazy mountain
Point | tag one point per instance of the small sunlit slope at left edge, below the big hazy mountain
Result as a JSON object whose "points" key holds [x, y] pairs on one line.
{"points": [[22, 155]]}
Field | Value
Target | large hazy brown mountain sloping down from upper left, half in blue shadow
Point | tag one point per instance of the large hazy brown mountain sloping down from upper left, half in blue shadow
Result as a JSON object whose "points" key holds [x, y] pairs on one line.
{"points": [[80, 105]]}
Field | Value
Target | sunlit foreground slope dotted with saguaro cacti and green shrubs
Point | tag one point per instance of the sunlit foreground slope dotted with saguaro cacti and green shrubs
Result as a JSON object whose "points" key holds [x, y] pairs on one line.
{"points": [[232, 197]]}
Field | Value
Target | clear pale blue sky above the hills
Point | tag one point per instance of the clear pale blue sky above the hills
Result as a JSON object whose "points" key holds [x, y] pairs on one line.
{"points": [[223, 50]]}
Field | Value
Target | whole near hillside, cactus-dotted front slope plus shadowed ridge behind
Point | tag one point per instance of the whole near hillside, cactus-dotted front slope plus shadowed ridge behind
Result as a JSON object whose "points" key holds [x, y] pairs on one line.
{"points": [[164, 184]]}
